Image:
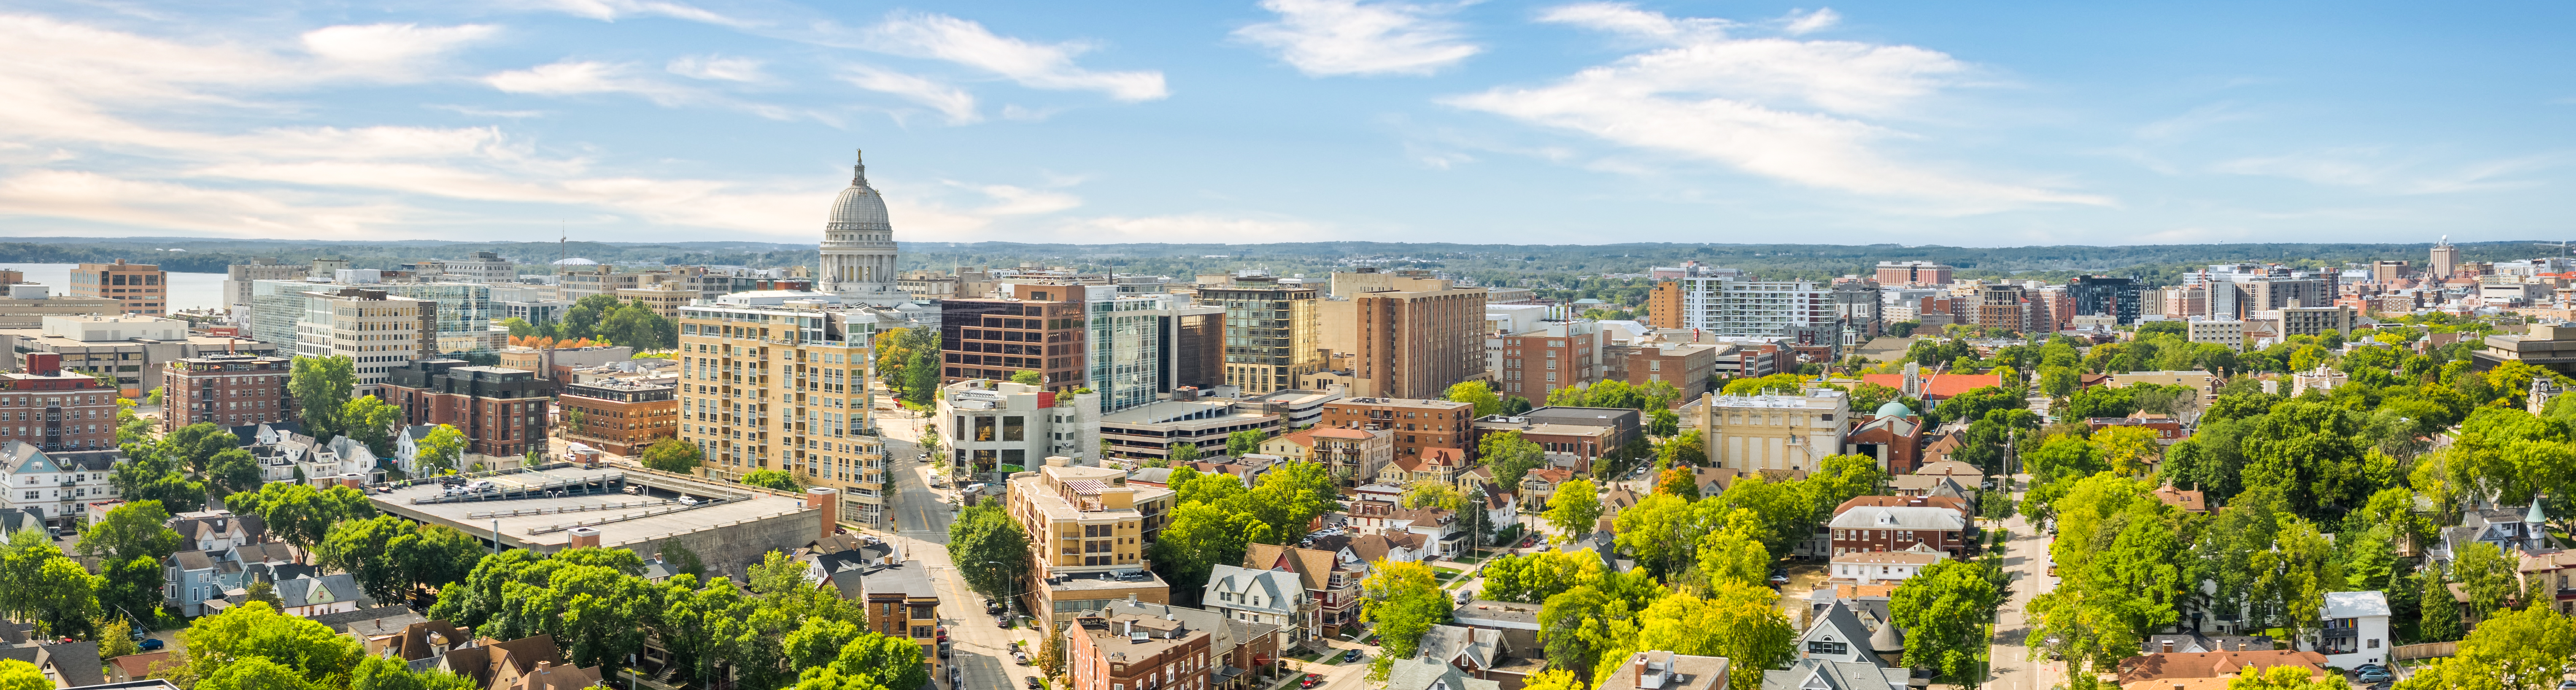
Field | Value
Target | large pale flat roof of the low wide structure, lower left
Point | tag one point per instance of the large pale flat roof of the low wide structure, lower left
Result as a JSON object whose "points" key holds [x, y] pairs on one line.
{"points": [[545, 521]]}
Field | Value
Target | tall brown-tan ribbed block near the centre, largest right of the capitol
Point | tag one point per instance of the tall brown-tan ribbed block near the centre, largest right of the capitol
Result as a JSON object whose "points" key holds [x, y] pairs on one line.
{"points": [[1416, 344]]}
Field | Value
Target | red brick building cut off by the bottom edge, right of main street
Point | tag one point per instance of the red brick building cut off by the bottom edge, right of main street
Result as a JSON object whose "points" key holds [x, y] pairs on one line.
{"points": [[1137, 653]]}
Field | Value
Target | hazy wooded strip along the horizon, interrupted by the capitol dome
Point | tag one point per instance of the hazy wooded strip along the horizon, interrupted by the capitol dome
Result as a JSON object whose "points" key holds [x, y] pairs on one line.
{"points": [[1534, 266]]}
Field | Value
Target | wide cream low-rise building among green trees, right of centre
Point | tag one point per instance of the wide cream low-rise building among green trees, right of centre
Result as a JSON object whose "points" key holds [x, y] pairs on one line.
{"points": [[1789, 431]]}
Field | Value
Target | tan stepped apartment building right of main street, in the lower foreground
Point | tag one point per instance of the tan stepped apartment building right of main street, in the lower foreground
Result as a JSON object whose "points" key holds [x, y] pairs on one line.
{"points": [[1088, 537]]}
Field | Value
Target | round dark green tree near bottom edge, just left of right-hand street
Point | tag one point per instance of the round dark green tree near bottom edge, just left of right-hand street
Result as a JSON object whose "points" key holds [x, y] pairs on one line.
{"points": [[1944, 611]]}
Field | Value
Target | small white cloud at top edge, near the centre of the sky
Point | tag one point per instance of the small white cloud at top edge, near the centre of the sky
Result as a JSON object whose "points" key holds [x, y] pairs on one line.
{"points": [[1349, 37]]}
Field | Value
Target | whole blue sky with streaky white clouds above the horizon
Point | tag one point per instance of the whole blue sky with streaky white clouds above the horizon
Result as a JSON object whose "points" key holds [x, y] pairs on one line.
{"points": [[1975, 125]]}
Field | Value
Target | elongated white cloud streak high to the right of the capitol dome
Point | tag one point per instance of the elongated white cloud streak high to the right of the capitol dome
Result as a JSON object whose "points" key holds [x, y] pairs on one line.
{"points": [[1024, 63]]}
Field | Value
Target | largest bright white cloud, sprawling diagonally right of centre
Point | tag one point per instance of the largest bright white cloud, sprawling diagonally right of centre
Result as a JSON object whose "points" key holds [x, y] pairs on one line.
{"points": [[1771, 107]]}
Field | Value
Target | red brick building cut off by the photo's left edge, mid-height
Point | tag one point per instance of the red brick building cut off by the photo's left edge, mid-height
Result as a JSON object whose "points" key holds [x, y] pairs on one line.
{"points": [[55, 411]]}
